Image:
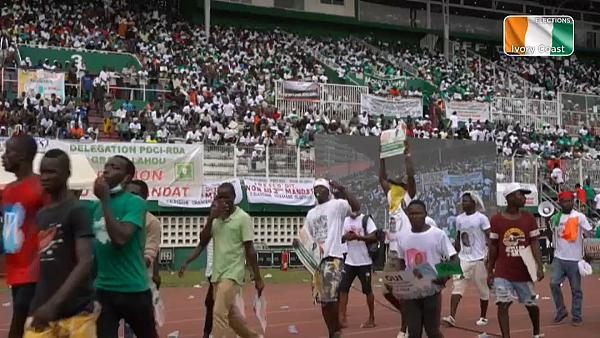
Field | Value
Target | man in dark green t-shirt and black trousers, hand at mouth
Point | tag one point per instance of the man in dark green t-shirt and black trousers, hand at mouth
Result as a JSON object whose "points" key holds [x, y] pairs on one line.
{"points": [[121, 282]]}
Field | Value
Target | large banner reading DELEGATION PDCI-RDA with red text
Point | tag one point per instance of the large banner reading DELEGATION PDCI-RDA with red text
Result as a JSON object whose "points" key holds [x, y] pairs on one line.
{"points": [[170, 170]]}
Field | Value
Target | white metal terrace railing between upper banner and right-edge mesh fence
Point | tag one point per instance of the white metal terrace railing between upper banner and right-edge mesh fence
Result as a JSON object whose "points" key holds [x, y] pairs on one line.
{"points": [[526, 111]]}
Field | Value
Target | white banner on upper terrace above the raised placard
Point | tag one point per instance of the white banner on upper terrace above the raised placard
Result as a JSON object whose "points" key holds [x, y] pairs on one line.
{"points": [[402, 108]]}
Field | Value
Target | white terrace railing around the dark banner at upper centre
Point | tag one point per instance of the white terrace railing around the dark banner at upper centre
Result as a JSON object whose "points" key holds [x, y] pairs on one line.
{"points": [[338, 101]]}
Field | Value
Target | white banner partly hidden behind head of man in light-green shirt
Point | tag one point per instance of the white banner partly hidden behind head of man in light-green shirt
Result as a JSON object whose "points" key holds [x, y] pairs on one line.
{"points": [[205, 198]]}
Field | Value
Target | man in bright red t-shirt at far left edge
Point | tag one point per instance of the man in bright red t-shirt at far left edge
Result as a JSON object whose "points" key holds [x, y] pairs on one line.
{"points": [[21, 200]]}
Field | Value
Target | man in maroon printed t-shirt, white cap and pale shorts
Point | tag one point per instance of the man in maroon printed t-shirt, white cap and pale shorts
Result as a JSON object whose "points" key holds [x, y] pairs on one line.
{"points": [[513, 243]]}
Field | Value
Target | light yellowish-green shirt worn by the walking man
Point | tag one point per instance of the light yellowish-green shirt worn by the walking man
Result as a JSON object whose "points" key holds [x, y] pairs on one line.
{"points": [[228, 236]]}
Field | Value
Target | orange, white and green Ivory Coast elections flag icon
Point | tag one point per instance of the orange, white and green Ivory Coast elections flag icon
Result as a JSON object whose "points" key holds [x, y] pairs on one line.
{"points": [[539, 35]]}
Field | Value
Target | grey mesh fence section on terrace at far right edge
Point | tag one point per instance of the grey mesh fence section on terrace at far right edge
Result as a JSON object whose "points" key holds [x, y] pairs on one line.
{"points": [[579, 110]]}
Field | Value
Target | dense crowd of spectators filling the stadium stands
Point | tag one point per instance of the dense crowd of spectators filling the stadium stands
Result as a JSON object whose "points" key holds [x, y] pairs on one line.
{"points": [[220, 90]]}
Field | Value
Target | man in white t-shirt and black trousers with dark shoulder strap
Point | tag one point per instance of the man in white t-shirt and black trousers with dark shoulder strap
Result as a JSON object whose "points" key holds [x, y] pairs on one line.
{"points": [[359, 230]]}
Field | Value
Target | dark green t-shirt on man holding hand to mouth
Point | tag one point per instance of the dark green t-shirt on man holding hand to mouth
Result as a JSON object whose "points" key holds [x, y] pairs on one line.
{"points": [[120, 269]]}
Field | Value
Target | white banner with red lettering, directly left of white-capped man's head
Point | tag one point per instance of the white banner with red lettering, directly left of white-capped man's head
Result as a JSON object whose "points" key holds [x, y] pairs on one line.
{"points": [[292, 193]]}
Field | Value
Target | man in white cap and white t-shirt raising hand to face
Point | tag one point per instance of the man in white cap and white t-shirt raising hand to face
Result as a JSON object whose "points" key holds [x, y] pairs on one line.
{"points": [[325, 224]]}
